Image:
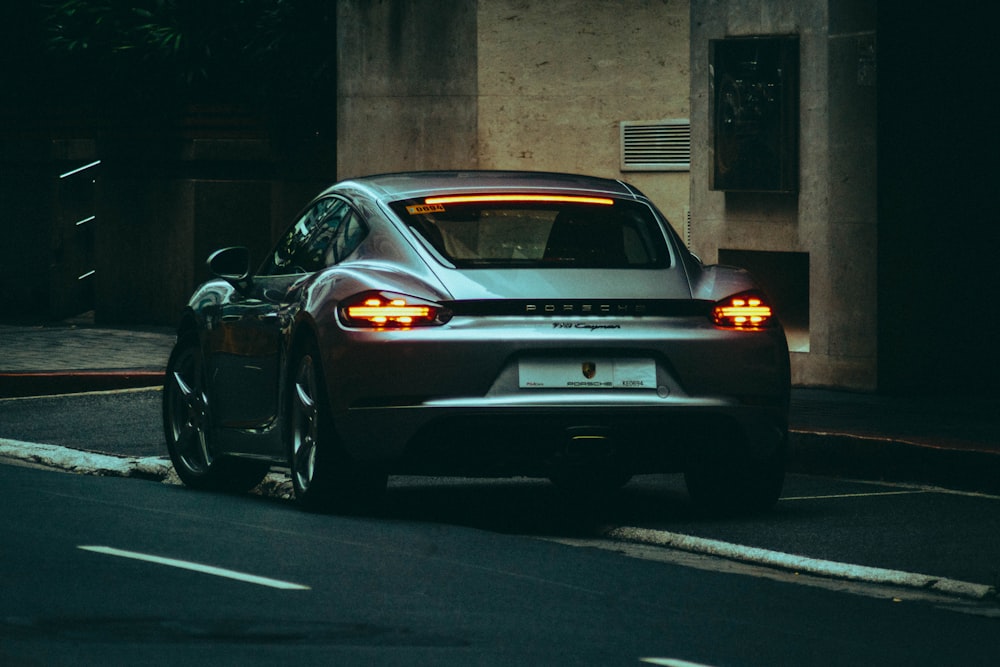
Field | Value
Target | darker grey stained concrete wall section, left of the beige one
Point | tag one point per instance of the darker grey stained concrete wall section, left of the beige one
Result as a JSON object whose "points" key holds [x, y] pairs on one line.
{"points": [[407, 85]]}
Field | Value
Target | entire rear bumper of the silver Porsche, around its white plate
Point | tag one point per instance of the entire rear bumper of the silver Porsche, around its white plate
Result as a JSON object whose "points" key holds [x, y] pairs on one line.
{"points": [[450, 399]]}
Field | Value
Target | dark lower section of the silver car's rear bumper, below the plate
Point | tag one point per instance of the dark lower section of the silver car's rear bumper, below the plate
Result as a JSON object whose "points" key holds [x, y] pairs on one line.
{"points": [[501, 437]]}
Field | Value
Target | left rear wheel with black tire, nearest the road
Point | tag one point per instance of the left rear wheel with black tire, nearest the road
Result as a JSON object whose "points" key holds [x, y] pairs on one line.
{"points": [[324, 477]]}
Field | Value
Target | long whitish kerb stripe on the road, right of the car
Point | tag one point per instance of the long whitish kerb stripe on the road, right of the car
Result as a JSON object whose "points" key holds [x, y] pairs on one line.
{"points": [[793, 563]]}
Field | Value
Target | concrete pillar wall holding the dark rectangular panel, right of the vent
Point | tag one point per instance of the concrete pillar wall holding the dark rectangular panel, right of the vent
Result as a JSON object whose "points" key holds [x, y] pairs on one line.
{"points": [[833, 215]]}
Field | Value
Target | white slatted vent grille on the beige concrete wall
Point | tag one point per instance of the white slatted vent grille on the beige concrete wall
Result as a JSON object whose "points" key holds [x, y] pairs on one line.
{"points": [[659, 145]]}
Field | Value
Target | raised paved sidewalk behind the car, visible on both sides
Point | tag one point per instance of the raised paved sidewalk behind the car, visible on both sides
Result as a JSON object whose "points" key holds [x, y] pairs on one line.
{"points": [[951, 441]]}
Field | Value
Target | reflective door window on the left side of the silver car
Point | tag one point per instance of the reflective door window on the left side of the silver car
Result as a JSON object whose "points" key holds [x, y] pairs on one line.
{"points": [[303, 247]]}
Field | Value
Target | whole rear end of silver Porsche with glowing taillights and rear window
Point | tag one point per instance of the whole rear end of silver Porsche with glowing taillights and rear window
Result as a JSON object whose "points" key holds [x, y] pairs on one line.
{"points": [[562, 329]]}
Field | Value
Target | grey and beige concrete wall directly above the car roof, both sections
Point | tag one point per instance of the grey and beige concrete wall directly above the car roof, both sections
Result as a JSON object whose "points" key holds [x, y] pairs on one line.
{"points": [[509, 84]]}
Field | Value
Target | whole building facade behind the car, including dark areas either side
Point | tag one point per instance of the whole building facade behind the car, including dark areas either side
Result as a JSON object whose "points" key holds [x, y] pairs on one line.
{"points": [[840, 149]]}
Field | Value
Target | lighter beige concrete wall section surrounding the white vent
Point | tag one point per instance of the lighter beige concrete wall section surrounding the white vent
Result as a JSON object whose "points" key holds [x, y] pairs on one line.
{"points": [[556, 77]]}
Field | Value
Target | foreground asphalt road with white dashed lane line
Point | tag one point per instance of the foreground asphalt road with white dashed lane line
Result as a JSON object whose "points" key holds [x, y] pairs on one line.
{"points": [[118, 571]]}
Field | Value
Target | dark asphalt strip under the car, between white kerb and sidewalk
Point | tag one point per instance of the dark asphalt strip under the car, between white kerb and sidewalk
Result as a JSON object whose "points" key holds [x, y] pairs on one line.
{"points": [[923, 530]]}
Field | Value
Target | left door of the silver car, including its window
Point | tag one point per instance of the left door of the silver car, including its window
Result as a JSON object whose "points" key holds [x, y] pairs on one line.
{"points": [[247, 342]]}
